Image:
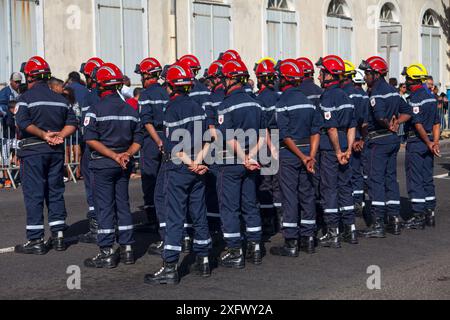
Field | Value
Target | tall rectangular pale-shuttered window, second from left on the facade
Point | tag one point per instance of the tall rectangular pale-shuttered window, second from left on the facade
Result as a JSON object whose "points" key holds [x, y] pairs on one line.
{"points": [[122, 34]]}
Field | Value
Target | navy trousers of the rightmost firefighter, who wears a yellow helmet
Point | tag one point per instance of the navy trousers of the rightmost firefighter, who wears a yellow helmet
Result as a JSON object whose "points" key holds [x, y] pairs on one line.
{"points": [[419, 177]]}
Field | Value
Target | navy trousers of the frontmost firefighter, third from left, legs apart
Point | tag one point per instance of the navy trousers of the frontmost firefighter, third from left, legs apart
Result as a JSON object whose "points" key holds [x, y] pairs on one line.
{"points": [[185, 191]]}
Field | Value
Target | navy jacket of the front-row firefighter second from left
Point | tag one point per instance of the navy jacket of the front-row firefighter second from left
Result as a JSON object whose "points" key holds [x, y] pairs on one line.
{"points": [[112, 122]]}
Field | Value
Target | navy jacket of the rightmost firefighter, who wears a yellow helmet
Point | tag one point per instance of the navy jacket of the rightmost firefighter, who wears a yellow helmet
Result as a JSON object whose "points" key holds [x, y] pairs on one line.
{"points": [[423, 110]]}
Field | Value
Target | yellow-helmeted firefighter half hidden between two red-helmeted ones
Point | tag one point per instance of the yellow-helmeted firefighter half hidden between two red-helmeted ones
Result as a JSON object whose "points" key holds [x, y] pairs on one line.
{"points": [[361, 102]]}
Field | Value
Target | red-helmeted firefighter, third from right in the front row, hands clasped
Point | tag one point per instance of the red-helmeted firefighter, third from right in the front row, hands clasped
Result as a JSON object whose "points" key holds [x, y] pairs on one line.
{"points": [[336, 144]]}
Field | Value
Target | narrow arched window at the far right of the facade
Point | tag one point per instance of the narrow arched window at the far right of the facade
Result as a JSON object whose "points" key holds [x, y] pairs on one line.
{"points": [[431, 39]]}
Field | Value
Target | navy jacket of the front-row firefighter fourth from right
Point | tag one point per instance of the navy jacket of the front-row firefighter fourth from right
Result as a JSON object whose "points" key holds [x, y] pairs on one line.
{"points": [[297, 118]]}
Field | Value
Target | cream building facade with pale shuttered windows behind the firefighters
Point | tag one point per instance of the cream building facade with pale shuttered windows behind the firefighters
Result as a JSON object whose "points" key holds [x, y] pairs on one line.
{"points": [[67, 32]]}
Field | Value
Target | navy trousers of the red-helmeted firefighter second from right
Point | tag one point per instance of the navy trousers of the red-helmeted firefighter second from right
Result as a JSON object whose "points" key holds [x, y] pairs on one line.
{"points": [[383, 185]]}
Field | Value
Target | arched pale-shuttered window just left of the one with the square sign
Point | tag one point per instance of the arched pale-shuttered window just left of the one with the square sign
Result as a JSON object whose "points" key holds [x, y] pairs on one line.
{"points": [[339, 29]]}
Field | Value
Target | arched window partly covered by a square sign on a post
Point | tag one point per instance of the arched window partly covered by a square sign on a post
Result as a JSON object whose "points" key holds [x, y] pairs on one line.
{"points": [[390, 38]]}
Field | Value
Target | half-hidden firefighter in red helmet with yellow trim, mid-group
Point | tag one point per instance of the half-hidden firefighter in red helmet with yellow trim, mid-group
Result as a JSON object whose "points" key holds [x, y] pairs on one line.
{"points": [[268, 185]]}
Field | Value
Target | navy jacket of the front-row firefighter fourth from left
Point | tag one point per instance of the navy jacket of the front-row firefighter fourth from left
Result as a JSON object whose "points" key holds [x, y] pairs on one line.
{"points": [[240, 111]]}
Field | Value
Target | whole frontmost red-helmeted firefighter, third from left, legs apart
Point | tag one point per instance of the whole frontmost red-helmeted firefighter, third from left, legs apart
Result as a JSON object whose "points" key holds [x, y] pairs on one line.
{"points": [[185, 178]]}
